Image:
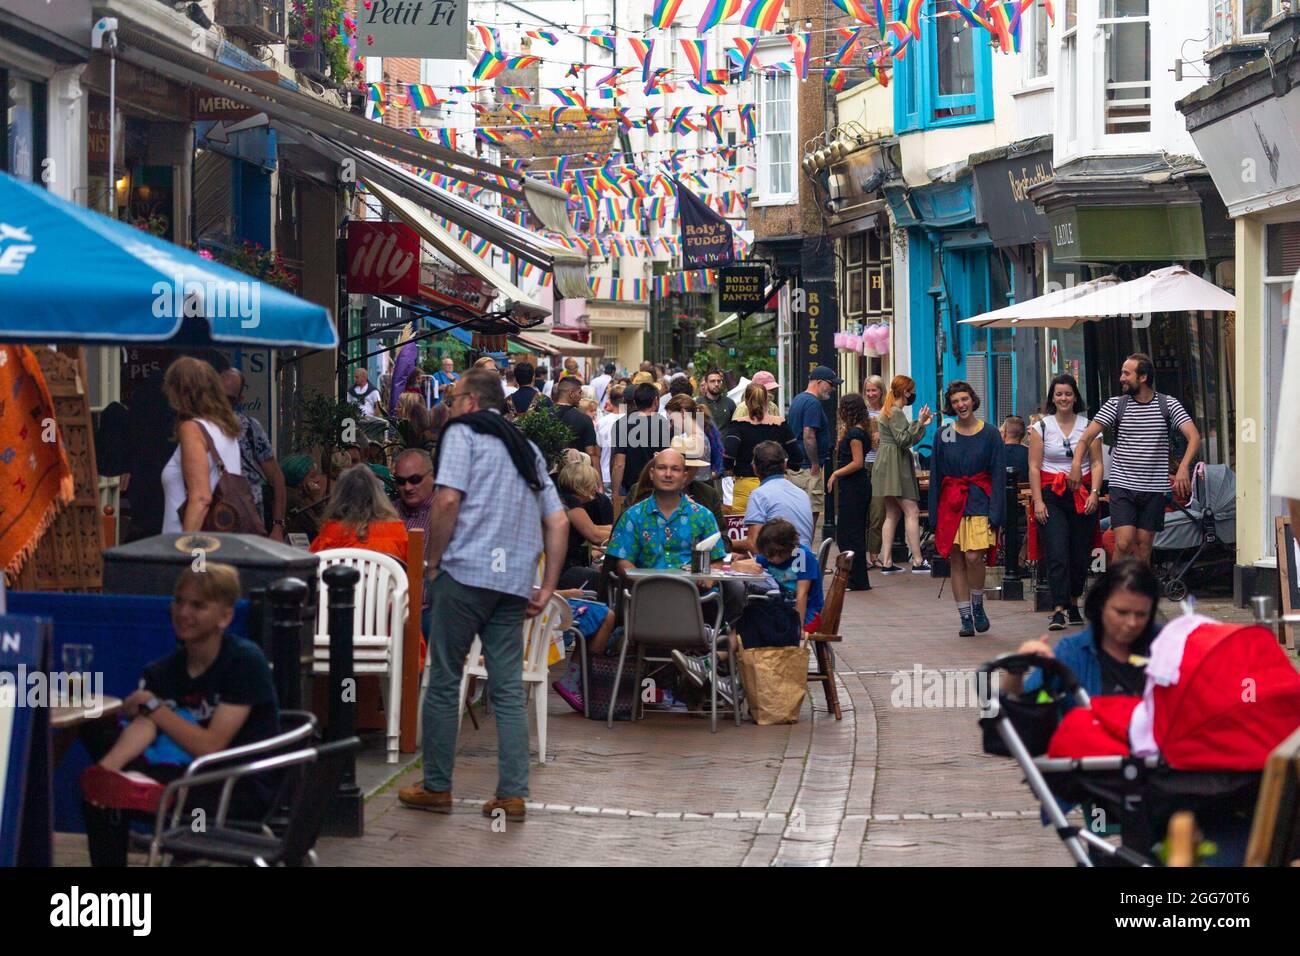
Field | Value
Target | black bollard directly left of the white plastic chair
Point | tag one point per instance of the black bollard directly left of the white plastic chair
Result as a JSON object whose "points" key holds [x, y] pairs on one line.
{"points": [[348, 811]]}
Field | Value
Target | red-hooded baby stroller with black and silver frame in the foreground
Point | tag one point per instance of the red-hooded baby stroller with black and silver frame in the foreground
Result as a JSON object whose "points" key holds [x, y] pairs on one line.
{"points": [[1190, 743]]}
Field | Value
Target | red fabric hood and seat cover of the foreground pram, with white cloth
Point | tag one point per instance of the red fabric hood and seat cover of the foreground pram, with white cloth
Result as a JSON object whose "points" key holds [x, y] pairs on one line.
{"points": [[1219, 698]]}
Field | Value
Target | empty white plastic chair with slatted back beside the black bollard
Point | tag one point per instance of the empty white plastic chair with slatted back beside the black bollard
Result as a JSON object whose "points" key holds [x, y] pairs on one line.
{"points": [[379, 624]]}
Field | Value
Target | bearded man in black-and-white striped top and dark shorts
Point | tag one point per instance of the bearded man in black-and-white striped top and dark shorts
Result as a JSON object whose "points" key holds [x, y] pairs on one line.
{"points": [[1141, 457]]}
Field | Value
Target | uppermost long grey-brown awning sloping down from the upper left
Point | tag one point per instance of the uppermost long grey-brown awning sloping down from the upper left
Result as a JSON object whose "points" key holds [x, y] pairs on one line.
{"points": [[300, 110]]}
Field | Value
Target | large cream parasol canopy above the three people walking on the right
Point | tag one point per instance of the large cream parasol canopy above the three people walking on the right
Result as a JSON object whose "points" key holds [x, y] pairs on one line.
{"points": [[1172, 289]]}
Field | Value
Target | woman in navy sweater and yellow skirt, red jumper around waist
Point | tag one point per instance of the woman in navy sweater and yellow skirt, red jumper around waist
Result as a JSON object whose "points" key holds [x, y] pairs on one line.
{"points": [[968, 499]]}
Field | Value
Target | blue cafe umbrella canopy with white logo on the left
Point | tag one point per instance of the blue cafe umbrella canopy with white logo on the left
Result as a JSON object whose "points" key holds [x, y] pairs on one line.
{"points": [[72, 275]]}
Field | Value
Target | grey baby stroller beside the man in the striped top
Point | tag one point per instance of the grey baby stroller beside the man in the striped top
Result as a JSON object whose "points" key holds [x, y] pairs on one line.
{"points": [[1202, 537]]}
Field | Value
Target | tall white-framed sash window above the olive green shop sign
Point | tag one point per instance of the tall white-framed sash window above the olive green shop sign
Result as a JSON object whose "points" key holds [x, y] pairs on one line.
{"points": [[1126, 34]]}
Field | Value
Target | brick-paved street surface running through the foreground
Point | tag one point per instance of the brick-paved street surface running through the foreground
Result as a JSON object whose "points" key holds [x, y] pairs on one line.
{"points": [[889, 786]]}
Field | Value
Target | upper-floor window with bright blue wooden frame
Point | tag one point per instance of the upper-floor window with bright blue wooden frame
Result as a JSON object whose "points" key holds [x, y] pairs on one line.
{"points": [[946, 77]]}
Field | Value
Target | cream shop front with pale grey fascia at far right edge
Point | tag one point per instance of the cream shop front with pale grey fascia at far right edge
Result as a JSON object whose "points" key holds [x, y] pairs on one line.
{"points": [[1245, 127]]}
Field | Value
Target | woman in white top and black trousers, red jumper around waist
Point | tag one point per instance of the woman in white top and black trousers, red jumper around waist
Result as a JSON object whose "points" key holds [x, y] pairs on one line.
{"points": [[1068, 520]]}
